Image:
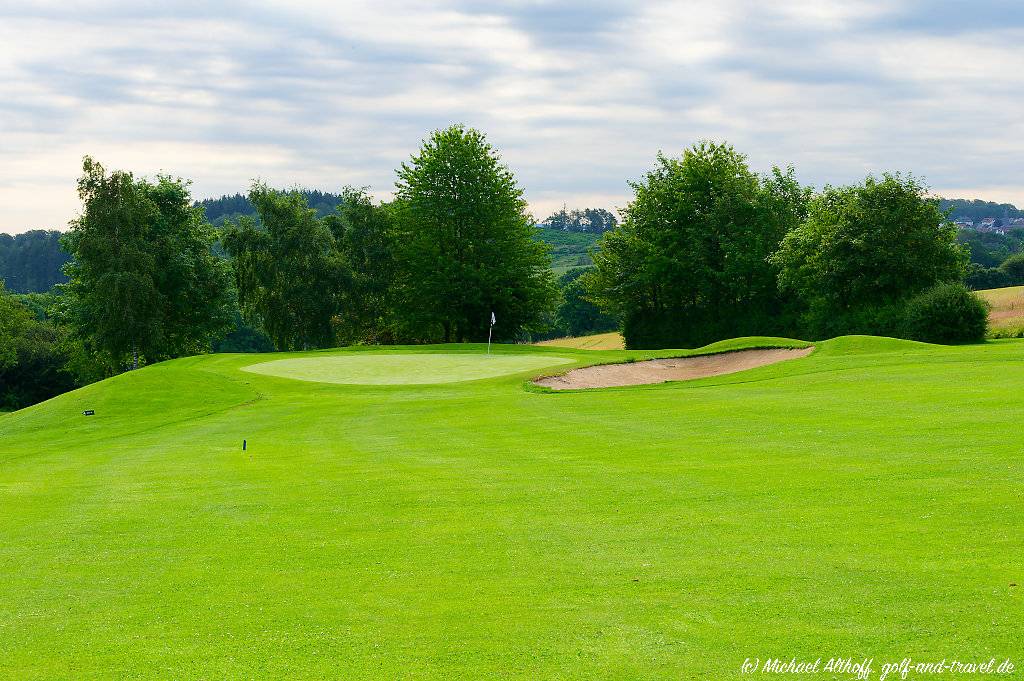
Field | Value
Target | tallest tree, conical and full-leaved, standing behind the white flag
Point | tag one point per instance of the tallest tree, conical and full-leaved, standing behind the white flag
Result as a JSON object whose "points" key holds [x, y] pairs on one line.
{"points": [[465, 245]]}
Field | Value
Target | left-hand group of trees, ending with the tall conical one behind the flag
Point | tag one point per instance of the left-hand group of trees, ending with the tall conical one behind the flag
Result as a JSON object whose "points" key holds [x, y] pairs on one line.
{"points": [[150, 278]]}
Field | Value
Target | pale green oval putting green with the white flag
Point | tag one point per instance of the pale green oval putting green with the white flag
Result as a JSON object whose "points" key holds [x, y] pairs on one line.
{"points": [[404, 369]]}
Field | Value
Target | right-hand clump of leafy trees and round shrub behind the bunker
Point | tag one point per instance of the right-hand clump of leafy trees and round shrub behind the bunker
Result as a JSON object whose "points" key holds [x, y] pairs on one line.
{"points": [[710, 250]]}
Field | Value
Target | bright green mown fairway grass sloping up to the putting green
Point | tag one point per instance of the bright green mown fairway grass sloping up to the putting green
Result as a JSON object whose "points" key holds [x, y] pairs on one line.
{"points": [[864, 501]]}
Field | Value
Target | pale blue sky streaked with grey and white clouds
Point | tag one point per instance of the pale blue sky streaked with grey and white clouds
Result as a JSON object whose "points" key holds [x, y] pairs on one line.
{"points": [[578, 97]]}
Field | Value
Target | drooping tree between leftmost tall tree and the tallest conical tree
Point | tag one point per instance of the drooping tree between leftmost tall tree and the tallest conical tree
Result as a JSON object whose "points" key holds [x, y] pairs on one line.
{"points": [[288, 271]]}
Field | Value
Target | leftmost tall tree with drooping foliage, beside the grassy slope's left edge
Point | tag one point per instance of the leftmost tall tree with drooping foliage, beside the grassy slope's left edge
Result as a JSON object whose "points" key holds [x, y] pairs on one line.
{"points": [[144, 283]]}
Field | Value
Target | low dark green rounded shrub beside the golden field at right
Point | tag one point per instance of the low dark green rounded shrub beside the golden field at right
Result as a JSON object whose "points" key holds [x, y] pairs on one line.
{"points": [[948, 314]]}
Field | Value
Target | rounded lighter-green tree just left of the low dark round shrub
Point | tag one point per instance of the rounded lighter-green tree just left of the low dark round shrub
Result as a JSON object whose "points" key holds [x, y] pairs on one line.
{"points": [[864, 250]]}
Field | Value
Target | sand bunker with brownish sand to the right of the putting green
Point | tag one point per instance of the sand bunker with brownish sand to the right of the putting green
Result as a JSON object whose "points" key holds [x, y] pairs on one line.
{"points": [[676, 369]]}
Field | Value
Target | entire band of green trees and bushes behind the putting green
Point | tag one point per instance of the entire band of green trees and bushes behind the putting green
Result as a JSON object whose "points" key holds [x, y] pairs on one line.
{"points": [[707, 250]]}
